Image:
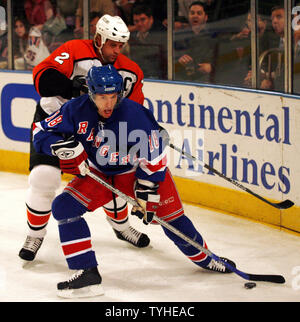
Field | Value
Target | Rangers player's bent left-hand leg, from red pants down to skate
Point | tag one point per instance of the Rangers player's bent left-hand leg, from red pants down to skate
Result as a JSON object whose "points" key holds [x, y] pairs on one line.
{"points": [[81, 195]]}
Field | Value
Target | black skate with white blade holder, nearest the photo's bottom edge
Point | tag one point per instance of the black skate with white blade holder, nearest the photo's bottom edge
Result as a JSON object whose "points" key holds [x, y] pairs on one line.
{"points": [[83, 283]]}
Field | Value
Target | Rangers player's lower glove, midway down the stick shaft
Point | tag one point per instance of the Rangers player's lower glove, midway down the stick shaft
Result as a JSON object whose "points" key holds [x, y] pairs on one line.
{"points": [[148, 198]]}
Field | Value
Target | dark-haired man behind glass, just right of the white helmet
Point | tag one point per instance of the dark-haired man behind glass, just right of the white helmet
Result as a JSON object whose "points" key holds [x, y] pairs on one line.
{"points": [[148, 43]]}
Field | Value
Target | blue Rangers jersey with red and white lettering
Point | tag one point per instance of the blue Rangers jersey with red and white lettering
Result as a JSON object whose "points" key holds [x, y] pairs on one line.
{"points": [[128, 140]]}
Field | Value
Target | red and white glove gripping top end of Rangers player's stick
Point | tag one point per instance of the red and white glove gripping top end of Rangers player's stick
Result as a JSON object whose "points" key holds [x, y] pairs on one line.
{"points": [[71, 156]]}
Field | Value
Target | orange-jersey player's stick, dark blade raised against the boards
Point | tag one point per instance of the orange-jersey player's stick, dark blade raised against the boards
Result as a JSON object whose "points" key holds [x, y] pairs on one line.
{"points": [[280, 205]]}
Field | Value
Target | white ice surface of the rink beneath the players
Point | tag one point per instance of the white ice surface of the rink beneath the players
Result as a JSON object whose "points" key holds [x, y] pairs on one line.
{"points": [[158, 273]]}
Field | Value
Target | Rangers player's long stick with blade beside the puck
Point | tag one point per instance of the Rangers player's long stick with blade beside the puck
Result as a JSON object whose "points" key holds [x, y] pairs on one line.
{"points": [[250, 277]]}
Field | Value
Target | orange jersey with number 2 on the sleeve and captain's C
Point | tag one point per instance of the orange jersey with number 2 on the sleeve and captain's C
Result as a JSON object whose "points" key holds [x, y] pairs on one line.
{"points": [[76, 57]]}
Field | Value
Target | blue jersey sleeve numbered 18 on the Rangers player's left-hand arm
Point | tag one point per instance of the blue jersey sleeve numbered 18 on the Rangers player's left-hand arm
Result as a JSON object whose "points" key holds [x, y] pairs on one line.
{"points": [[57, 126]]}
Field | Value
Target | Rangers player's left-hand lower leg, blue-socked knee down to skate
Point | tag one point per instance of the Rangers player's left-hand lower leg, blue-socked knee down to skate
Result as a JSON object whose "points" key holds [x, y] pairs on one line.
{"points": [[76, 244]]}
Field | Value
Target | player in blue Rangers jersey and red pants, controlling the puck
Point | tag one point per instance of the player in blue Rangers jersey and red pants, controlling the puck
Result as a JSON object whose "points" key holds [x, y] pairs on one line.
{"points": [[119, 140]]}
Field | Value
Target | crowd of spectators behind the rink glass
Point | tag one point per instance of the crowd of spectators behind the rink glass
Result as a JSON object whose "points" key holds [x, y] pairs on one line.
{"points": [[208, 47]]}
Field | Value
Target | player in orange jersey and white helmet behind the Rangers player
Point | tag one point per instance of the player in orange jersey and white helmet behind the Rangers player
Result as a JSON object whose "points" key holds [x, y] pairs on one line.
{"points": [[57, 79]]}
